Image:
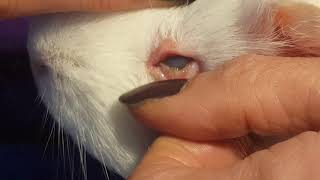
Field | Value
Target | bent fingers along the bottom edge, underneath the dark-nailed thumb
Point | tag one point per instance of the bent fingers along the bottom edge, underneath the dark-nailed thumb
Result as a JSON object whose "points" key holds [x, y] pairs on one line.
{"points": [[174, 159]]}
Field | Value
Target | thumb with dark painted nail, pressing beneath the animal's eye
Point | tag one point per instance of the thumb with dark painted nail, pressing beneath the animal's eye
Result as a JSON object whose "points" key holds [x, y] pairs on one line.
{"points": [[258, 94]]}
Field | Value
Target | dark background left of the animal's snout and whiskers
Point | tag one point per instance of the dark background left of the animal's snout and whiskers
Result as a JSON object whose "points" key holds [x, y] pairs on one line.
{"points": [[27, 151]]}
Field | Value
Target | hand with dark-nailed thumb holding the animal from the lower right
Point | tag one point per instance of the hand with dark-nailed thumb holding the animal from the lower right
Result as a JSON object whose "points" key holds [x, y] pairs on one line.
{"points": [[253, 94]]}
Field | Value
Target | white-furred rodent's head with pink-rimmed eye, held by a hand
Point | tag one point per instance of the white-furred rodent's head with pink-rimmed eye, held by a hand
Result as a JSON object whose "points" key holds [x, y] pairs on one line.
{"points": [[83, 62]]}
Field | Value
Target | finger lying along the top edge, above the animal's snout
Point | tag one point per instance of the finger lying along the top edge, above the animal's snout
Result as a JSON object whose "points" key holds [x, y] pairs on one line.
{"points": [[14, 8]]}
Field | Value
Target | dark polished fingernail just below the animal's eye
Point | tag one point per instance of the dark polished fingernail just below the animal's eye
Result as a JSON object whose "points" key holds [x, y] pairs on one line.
{"points": [[153, 90]]}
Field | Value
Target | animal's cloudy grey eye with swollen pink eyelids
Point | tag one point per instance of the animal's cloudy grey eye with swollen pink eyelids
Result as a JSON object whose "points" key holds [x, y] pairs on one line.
{"points": [[168, 62]]}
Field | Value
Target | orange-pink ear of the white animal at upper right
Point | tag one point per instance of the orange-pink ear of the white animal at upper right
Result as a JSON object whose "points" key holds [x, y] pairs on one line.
{"points": [[299, 22]]}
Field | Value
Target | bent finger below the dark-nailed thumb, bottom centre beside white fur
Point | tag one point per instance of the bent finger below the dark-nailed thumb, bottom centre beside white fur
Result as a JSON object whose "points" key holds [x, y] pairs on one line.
{"points": [[172, 158]]}
